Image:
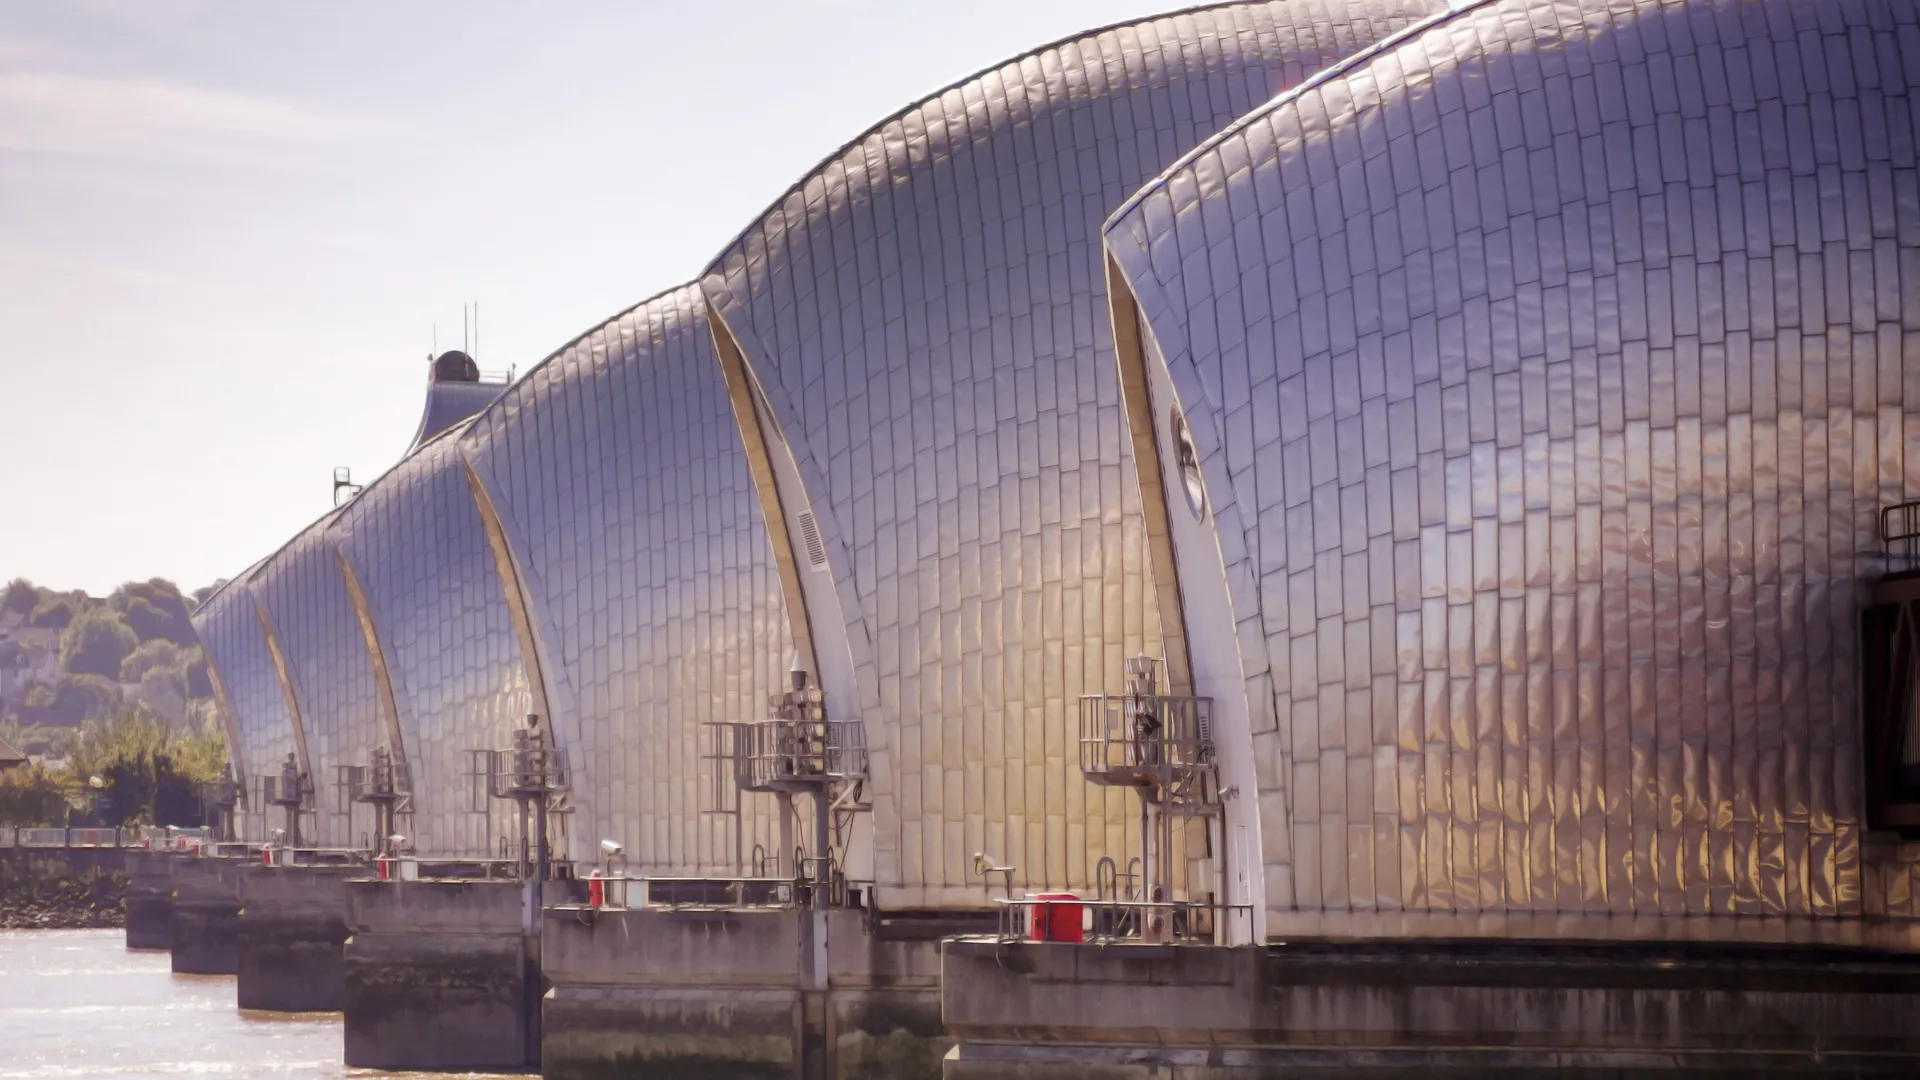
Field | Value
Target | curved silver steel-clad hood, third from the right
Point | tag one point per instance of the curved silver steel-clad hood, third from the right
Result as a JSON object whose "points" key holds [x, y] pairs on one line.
{"points": [[619, 474]]}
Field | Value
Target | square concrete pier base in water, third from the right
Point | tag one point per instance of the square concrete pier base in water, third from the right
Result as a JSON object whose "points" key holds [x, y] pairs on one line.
{"points": [[441, 975]]}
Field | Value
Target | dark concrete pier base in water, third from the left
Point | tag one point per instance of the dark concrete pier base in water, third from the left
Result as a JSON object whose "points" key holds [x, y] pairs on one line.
{"points": [[293, 935]]}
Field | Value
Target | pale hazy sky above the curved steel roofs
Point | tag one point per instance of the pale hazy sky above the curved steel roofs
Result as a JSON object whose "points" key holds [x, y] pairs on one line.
{"points": [[229, 228]]}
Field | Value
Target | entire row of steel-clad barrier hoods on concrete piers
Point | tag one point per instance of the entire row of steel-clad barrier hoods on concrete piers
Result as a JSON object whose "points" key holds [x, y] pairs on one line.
{"points": [[1285, 539]]}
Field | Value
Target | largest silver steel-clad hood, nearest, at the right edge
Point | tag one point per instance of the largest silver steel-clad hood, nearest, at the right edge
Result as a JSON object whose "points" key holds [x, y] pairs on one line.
{"points": [[1547, 372]]}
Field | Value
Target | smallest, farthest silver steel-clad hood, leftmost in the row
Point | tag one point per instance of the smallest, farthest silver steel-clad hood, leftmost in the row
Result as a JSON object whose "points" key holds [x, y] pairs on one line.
{"points": [[251, 689]]}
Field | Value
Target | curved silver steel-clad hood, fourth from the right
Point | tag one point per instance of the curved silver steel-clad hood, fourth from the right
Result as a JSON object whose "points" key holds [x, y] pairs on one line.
{"points": [[420, 549]]}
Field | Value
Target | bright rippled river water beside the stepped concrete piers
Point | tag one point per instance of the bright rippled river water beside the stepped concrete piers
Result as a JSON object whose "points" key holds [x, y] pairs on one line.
{"points": [[78, 1004]]}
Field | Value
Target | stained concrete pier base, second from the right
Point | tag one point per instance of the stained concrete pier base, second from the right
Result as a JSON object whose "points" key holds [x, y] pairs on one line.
{"points": [[744, 993]]}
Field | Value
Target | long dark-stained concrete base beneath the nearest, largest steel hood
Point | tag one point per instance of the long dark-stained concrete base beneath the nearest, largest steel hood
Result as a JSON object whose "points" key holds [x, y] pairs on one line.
{"points": [[1057, 1012]]}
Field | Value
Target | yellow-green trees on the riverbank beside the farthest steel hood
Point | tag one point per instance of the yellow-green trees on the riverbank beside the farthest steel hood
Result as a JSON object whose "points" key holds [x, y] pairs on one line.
{"points": [[149, 772]]}
